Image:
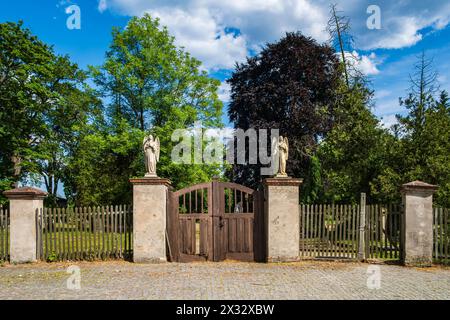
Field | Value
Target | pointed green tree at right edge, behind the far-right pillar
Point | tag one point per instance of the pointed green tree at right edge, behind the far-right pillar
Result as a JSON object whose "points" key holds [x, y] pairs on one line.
{"points": [[421, 149]]}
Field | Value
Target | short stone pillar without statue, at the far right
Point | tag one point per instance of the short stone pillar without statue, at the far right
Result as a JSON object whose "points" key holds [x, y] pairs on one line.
{"points": [[417, 224]]}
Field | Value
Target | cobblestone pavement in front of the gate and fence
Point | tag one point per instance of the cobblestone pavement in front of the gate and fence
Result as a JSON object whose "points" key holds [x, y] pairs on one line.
{"points": [[225, 280]]}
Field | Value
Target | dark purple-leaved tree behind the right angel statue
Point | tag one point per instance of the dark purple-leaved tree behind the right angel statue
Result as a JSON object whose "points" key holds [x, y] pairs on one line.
{"points": [[289, 86]]}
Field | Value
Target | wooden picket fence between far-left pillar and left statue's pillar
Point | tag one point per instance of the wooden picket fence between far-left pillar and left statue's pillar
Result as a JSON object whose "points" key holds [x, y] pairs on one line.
{"points": [[84, 233]]}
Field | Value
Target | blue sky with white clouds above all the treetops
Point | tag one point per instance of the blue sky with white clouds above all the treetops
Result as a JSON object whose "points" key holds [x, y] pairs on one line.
{"points": [[219, 33]]}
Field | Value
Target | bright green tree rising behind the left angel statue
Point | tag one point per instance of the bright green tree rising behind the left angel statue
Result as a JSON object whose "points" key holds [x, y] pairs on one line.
{"points": [[148, 85]]}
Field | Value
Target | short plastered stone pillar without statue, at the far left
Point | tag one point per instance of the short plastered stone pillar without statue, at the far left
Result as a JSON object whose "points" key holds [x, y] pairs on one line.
{"points": [[23, 204]]}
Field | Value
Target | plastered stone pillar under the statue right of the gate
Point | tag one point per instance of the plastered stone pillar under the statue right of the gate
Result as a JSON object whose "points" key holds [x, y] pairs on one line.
{"points": [[282, 216]]}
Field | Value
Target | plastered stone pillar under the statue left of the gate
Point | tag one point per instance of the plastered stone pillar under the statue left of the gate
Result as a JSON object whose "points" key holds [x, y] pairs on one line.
{"points": [[149, 219]]}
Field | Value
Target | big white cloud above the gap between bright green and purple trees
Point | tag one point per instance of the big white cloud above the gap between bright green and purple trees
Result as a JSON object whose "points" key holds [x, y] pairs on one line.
{"points": [[201, 25]]}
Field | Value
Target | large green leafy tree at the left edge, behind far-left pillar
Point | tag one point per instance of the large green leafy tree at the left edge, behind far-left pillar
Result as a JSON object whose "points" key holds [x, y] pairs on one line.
{"points": [[44, 103]]}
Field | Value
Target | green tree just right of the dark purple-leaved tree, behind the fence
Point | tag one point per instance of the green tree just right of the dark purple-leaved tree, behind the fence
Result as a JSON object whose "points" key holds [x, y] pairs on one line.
{"points": [[353, 153]]}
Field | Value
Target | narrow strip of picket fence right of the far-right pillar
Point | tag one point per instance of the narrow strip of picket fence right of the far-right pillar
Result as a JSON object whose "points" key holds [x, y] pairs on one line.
{"points": [[441, 226]]}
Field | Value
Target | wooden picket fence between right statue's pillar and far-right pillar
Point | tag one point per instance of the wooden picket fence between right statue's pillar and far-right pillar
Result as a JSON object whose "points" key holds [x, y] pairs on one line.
{"points": [[334, 231]]}
